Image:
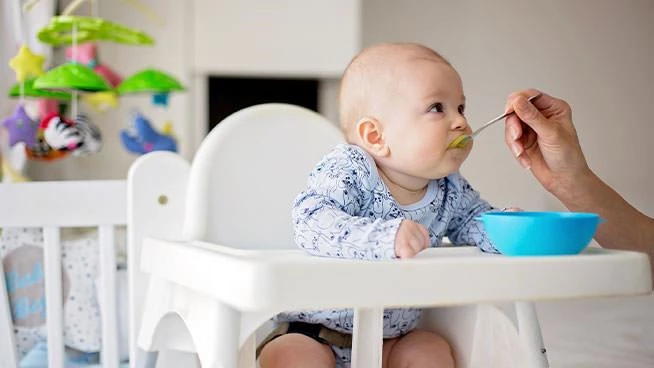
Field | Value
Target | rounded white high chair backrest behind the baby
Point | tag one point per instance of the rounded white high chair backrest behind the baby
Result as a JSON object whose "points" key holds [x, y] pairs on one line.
{"points": [[249, 169]]}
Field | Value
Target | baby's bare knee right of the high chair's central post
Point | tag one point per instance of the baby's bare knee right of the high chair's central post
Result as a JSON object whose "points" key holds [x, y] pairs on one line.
{"points": [[418, 349]]}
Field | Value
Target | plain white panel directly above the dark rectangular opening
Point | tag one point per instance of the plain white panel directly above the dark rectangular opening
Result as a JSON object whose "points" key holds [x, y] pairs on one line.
{"points": [[281, 37]]}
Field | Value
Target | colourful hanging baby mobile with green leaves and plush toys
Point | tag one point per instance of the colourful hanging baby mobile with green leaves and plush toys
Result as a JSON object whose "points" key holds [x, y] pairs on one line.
{"points": [[55, 135]]}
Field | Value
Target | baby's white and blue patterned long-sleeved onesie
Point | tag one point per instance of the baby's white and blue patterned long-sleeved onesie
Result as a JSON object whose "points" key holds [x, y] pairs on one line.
{"points": [[347, 212]]}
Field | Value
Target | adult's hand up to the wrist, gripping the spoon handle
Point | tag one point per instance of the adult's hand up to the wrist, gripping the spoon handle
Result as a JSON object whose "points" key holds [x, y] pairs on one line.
{"points": [[542, 137]]}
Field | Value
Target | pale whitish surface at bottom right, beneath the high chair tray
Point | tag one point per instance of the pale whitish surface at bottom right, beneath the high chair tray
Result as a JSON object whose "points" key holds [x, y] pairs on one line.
{"points": [[602, 333]]}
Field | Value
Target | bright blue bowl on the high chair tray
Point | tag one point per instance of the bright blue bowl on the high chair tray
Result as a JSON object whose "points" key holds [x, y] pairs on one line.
{"points": [[540, 233]]}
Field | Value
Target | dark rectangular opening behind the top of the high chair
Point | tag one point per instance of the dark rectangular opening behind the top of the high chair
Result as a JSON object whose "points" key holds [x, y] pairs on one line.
{"points": [[230, 94]]}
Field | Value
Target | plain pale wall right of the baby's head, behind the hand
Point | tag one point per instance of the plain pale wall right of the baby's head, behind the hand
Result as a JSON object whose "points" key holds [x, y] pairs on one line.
{"points": [[597, 54]]}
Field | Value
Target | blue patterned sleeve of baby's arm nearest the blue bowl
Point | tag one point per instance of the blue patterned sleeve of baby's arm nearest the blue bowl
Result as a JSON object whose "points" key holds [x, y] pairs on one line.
{"points": [[464, 228]]}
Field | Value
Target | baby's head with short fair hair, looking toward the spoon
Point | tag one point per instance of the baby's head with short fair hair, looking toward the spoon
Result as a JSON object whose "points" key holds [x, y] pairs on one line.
{"points": [[403, 103]]}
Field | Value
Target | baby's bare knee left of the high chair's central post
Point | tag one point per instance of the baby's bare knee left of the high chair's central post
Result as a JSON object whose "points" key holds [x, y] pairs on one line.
{"points": [[296, 350]]}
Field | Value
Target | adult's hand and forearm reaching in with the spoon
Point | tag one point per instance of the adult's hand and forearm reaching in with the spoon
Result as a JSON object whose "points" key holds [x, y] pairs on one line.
{"points": [[543, 138]]}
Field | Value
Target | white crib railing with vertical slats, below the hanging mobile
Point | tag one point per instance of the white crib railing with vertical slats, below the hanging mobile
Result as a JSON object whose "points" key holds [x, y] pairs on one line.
{"points": [[53, 206]]}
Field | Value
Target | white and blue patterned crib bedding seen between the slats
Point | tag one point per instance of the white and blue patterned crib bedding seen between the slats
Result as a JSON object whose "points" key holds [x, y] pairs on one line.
{"points": [[22, 257]]}
